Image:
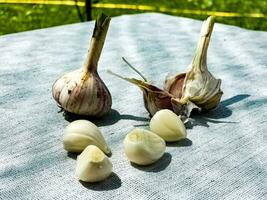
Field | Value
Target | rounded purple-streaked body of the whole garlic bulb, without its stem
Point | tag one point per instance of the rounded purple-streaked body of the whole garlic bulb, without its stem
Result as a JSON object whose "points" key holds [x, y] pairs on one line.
{"points": [[82, 94]]}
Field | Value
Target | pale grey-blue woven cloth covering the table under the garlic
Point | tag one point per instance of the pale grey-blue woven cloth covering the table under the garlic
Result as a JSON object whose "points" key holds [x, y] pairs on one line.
{"points": [[224, 156]]}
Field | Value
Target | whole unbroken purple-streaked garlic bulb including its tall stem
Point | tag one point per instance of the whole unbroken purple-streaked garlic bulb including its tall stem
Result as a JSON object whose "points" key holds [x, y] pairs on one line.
{"points": [[82, 91]]}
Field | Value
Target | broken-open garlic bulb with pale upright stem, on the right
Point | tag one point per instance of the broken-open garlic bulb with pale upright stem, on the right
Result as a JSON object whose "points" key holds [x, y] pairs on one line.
{"points": [[198, 86]]}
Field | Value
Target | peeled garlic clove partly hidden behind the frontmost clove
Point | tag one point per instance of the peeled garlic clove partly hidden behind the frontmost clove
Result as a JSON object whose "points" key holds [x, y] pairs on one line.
{"points": [[81, 133]]}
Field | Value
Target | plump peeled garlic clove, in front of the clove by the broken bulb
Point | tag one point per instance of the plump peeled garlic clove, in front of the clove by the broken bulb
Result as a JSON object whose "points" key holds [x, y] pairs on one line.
{"points": [[143, 147]]}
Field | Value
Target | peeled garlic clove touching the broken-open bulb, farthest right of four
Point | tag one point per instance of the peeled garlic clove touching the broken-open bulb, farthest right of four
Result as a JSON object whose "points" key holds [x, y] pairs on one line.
{"points": [[168, 126]]}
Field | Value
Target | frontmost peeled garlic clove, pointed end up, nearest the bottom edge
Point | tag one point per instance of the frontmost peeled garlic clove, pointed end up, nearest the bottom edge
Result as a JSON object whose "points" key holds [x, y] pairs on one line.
{"points": [[93, 165]]}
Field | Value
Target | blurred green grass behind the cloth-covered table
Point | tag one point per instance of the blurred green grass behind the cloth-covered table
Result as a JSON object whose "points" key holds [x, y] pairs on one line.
{"points": [[22, 17]]}
